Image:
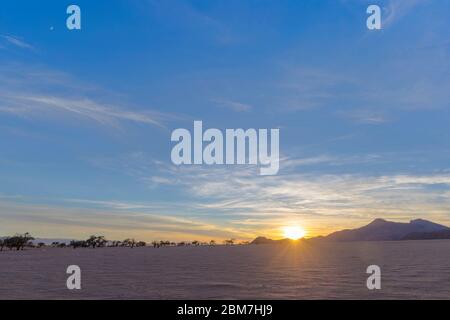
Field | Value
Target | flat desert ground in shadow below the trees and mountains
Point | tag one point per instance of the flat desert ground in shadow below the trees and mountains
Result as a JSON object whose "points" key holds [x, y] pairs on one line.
{"points": [[409, 270]]}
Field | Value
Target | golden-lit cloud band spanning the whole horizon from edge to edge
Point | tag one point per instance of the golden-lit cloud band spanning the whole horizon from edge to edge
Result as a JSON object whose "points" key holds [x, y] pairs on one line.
{"points": [[235, 202]]}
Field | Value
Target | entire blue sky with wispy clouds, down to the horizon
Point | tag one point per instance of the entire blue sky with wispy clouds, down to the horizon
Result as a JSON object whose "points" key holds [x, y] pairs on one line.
{"points": [[86, 116]]}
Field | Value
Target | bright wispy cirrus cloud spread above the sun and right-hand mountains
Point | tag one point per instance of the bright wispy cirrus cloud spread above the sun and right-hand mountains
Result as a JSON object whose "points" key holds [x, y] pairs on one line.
{"points": [[321, 201]]}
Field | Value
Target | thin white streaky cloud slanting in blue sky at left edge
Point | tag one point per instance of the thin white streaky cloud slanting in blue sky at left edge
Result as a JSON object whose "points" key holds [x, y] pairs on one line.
{"points": [[43, 93]]}
